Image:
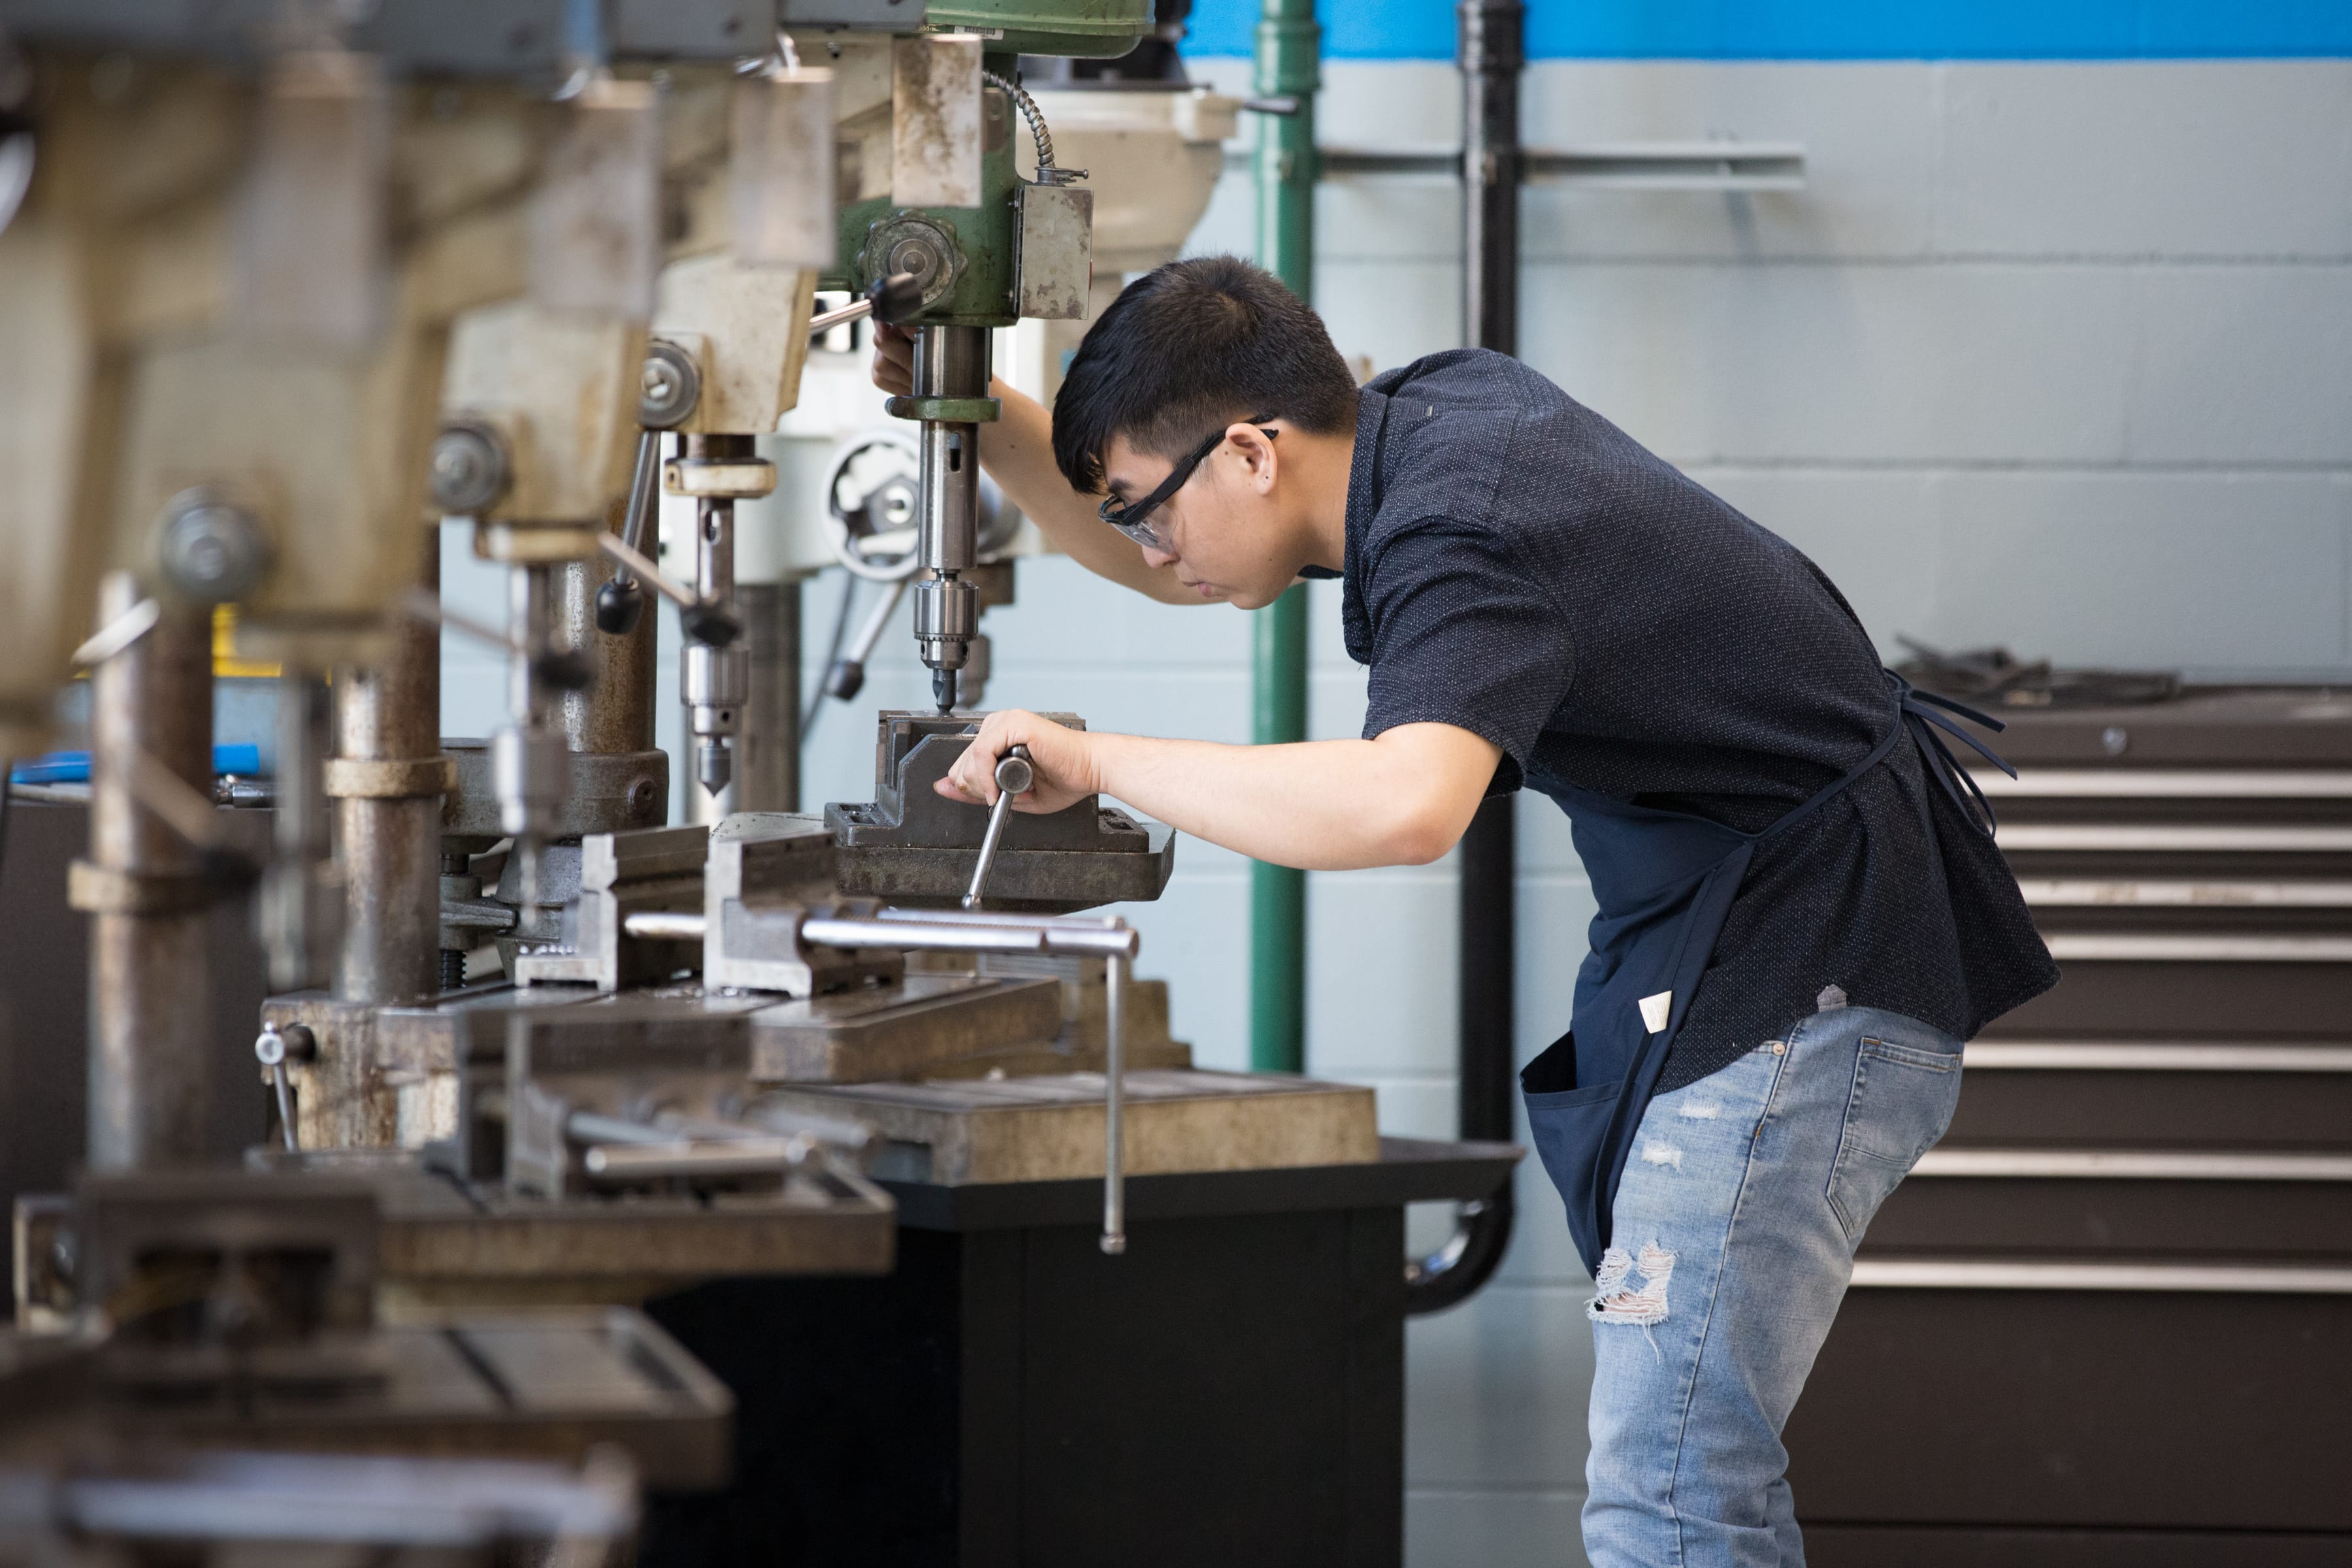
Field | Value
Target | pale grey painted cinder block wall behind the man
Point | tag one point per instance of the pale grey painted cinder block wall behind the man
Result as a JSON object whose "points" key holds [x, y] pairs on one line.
{"points": [[2047, 354]]}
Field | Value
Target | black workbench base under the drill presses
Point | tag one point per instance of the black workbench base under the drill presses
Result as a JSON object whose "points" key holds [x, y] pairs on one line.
{"points": [[1231, 1391]]}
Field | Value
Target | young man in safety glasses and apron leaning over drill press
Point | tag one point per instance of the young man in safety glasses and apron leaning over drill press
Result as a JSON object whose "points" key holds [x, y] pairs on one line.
{"points": [[1800, 913]]}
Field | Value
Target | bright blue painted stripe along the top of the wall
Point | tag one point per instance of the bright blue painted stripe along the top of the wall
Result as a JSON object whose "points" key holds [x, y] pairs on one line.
{"points": [[1826, 29]]}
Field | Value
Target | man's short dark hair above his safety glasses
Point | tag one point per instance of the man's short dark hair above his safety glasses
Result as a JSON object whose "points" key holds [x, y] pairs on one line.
{"points": [[1189, 349]]}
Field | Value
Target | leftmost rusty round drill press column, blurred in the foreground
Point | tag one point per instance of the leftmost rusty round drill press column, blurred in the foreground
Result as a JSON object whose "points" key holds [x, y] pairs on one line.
{"points": [[149, 972]]}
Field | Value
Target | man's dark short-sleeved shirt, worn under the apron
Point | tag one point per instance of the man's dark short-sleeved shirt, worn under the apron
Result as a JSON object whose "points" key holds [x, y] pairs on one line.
{"points": [[1525, 570]]}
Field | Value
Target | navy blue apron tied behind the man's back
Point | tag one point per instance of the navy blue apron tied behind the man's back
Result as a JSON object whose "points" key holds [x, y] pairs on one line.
{"points": [[1664, 883]]}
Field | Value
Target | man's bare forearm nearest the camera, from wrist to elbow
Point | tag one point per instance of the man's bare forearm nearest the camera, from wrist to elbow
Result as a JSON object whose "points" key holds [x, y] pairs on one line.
{"points": [[1316, 805]]}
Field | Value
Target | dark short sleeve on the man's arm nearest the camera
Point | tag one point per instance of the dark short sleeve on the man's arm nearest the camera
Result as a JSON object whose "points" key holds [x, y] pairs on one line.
{"points": [[1464, 636]]}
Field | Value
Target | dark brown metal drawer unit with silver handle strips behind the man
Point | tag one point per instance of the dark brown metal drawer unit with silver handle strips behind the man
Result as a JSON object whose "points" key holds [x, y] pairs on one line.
{"points": [[2111, 1315]]}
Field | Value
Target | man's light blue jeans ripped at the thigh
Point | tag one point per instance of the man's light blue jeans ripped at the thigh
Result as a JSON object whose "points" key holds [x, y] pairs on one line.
{"points": [[1732, 1245]]}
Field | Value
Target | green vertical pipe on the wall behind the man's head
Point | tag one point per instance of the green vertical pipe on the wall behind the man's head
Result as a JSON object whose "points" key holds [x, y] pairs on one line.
{"points": [[1290, 48]]}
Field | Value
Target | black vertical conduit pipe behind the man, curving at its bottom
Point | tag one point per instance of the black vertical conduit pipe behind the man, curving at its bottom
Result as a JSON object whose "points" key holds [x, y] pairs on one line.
{"points": [[1492, 58]]}
